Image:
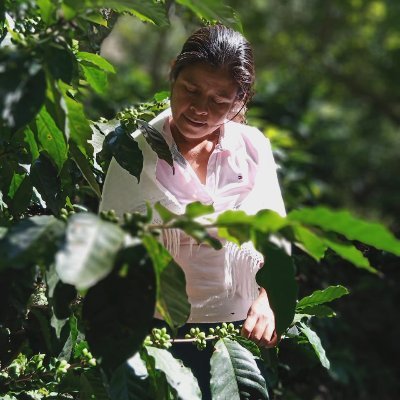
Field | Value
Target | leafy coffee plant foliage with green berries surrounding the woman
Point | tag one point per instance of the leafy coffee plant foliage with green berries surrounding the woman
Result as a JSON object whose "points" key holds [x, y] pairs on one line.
{"points": [[78, 290]]}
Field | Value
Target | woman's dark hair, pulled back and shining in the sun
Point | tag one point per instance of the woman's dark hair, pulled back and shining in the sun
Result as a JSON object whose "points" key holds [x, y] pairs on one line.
{"points": [[221, 47]]}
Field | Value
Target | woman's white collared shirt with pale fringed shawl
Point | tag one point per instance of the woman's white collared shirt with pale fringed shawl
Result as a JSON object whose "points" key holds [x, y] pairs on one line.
{"points": [[241, 174]]}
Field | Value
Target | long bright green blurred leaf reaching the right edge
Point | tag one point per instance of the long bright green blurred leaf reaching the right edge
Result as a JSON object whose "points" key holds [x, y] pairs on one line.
{"points": [[373, 234]]}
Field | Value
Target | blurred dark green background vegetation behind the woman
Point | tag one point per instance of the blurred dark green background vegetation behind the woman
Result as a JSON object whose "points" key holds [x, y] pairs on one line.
{"points": [[328, 97]]}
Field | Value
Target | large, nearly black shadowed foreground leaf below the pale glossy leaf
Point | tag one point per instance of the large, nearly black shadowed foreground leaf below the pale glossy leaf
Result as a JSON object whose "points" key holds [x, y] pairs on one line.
{"points": [[118, 311]]}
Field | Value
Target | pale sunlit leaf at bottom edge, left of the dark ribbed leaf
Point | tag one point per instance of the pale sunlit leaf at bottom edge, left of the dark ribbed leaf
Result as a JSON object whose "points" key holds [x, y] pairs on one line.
{"points": [[178, 376]]}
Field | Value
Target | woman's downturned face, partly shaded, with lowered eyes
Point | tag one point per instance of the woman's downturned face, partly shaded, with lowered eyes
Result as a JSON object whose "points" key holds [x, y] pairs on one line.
{"points": [[202, 99]]}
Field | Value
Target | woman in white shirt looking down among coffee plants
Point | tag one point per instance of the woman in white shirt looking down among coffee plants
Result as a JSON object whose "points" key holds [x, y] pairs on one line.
{"points": [[217, 160]]}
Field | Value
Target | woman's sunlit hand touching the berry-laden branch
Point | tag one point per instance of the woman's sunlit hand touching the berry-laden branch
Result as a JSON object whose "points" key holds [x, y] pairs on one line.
{"points": [[259, 325]]}
